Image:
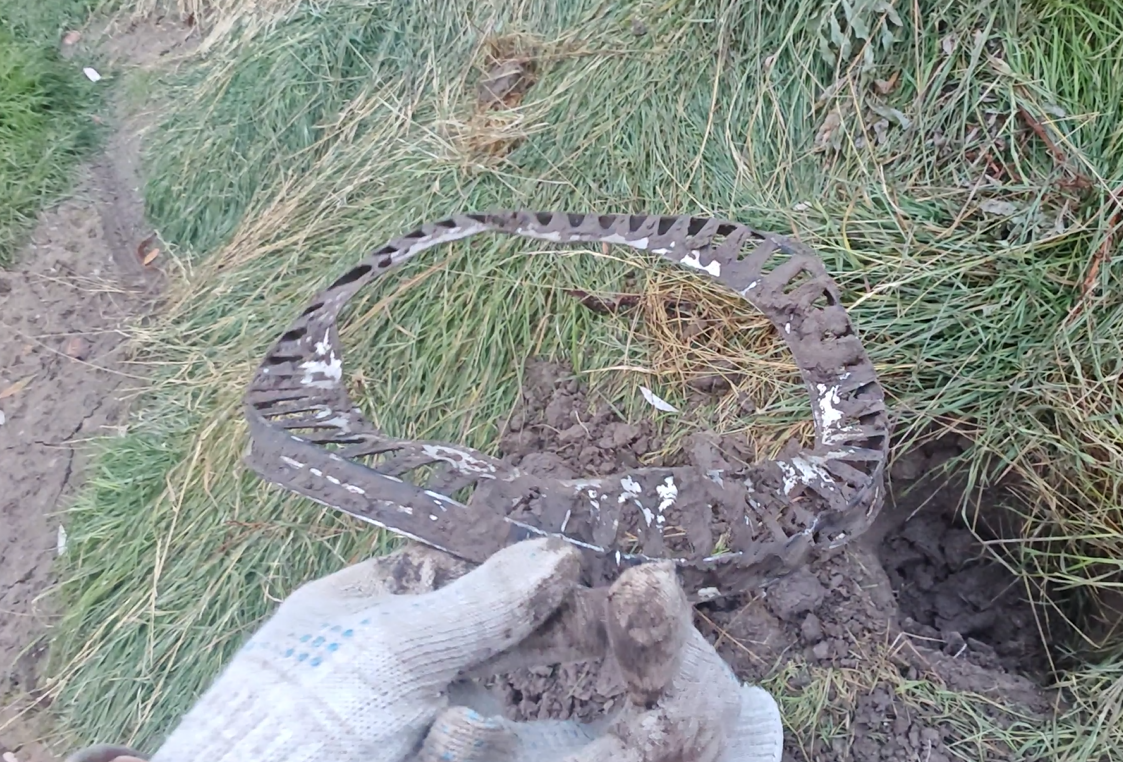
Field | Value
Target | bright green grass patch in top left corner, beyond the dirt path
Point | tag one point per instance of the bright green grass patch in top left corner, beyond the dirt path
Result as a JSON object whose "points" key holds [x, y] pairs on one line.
{"points": [[47, 107]]}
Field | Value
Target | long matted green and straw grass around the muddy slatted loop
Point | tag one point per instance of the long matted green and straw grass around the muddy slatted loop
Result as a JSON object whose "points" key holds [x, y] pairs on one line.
{"points": [[298, 145]]}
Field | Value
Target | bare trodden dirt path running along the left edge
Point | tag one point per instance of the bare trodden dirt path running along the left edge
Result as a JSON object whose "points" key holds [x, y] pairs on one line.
{"points": [[65, 378]]}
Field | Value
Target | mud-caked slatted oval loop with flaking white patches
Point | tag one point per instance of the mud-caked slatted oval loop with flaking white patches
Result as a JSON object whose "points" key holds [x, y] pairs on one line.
{"points": [[726, 530]]}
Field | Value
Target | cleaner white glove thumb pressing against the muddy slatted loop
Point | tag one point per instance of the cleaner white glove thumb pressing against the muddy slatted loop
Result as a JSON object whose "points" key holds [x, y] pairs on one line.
{"points": [[490, 610]]}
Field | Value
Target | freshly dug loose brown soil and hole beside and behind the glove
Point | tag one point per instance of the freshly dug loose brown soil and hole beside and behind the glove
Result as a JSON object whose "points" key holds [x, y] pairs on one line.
{"points": [[917, 598]]}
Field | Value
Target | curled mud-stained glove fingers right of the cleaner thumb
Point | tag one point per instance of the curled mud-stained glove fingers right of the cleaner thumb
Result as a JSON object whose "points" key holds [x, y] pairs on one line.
{"points": [[682, 701]]}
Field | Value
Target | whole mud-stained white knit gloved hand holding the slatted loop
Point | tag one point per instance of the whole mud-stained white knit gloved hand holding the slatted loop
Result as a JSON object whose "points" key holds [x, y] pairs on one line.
{"points": [[359, 667]]}
